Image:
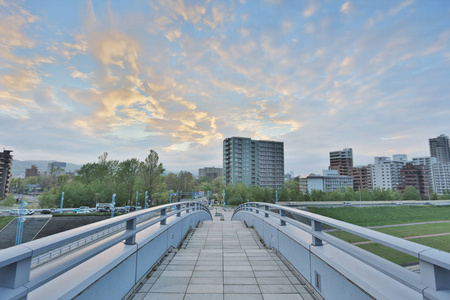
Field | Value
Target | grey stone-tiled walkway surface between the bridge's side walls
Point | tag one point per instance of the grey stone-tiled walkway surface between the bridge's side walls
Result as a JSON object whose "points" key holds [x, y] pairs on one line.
{"points": [[222, 260]]}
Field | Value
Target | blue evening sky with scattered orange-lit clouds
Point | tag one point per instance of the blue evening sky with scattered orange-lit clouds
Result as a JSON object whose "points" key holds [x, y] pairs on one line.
{"points": [[78, 78]]}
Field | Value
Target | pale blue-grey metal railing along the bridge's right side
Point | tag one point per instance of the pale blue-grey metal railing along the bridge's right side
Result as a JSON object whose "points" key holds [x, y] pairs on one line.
{"points": [[435, 264]]}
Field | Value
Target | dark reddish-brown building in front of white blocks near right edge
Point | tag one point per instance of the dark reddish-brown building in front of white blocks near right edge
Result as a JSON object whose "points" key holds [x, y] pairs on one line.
{"points": [[416, 176]]}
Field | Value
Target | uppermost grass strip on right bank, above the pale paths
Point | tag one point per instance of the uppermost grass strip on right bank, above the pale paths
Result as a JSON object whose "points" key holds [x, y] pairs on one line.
{"points": [[384, 215]]}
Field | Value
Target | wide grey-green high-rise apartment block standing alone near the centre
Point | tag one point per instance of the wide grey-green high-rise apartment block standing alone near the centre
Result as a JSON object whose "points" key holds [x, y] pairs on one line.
{"points": [[257, 163]]}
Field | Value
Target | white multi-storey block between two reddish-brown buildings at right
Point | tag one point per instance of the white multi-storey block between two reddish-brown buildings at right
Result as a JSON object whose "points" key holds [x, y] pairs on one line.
{"points": [[386, 172]]}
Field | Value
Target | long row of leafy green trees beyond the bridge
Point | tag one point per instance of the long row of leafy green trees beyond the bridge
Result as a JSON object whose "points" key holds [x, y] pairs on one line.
{"points": [[97, 182]]}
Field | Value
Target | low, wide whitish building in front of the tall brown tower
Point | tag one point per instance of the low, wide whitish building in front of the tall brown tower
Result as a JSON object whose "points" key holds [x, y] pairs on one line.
{"points": [[330, 181]]}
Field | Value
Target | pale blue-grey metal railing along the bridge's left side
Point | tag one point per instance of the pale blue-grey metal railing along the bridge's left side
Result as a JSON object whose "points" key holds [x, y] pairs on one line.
{"points": [[17, 278]]}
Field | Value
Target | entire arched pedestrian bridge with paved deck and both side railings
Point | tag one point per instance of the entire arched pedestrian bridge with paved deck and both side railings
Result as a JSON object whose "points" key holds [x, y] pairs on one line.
{"points": [[262, 251]]}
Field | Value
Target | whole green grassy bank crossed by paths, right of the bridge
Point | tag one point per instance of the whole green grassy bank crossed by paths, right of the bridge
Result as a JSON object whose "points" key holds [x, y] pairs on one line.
{"points": [[374, 216]]}
